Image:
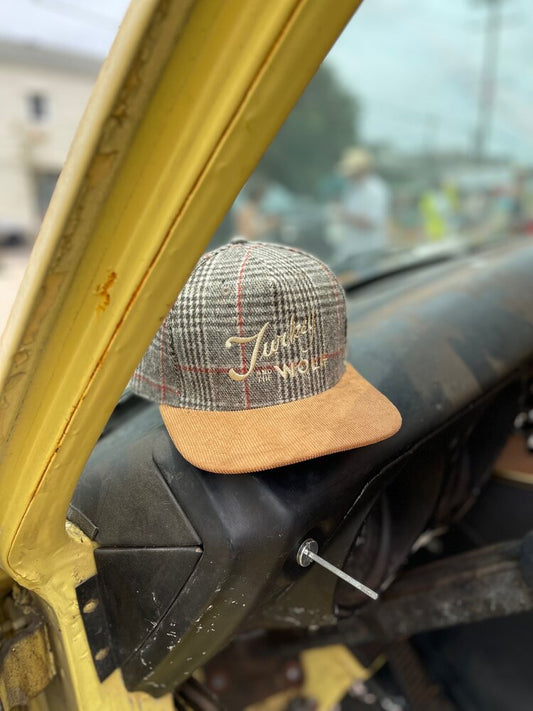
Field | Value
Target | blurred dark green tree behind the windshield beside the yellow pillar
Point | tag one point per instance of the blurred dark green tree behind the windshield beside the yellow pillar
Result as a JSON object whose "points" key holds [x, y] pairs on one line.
{"points": [[309, 144]]}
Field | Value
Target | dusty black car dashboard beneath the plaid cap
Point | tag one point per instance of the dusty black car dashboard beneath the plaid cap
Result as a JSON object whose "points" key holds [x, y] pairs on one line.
{"points": [[187, 560]]}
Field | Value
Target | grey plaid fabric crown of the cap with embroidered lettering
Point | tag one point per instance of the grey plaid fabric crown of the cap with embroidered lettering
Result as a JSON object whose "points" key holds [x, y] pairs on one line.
{"points": [[255, 325]]}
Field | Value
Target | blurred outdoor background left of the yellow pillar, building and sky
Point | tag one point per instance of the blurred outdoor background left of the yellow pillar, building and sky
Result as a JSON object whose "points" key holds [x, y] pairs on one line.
{"points": [[50, 56]]}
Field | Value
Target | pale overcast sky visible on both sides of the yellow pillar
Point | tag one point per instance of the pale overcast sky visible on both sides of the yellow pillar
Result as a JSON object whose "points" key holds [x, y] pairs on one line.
{"points": [[415, 65]]}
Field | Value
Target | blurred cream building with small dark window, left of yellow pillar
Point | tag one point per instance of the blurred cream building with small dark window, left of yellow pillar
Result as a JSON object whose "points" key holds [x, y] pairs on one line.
{"points": [[43, 93]]}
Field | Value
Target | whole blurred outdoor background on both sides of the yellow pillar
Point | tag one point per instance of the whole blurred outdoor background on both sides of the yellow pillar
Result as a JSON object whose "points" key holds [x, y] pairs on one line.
{"points": [[412, 142]]}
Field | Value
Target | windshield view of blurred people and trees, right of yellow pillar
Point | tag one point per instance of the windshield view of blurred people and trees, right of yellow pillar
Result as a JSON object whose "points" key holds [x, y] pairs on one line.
{"points": [[411, 143]]}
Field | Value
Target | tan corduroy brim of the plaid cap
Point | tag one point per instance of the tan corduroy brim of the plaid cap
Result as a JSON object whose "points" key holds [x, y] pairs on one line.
{"points": [[351, 414]]}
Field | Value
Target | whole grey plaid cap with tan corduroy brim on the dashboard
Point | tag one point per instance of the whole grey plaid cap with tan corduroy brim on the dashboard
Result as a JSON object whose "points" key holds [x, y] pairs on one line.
{"points": [[249, 365]]}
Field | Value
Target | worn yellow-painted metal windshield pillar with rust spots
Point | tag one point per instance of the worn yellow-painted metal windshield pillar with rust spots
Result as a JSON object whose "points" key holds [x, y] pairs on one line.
{"points": [[190, 96]]}
